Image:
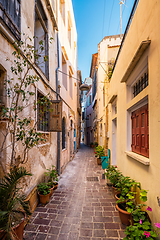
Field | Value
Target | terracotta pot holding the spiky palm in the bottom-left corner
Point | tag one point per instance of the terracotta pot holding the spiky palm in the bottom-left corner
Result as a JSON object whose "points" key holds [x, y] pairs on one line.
{"points": [[17, 231]]}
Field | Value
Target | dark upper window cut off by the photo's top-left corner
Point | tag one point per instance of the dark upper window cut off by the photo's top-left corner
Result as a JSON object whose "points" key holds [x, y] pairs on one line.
{"points": [[10, 12]]}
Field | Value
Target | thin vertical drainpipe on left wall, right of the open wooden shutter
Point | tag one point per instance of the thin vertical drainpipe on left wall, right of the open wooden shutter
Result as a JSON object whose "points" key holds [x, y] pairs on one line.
{"points": [[58, 133]]}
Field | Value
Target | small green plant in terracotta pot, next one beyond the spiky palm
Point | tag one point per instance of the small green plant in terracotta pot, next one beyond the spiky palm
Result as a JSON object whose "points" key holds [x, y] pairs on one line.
{"points": [[43, 192]]}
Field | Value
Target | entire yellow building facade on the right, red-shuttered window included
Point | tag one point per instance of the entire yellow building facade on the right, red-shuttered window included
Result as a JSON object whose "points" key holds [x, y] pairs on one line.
{"points": [[134, 102]]}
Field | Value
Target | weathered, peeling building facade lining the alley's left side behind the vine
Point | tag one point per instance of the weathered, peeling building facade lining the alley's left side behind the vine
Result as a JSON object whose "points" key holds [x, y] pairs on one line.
{"points": [[51, 25]]}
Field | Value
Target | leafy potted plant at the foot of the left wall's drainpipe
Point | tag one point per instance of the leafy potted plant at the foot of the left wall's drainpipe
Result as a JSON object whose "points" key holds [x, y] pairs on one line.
{"points": [[53, 178]]}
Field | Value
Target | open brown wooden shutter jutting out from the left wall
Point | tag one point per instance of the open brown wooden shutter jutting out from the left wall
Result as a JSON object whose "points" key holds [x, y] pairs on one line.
{"points": [[56, 116]]}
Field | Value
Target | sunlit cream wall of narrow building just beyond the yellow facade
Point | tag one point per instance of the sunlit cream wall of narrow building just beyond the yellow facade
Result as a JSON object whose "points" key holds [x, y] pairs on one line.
{"points": [[107, 51]]}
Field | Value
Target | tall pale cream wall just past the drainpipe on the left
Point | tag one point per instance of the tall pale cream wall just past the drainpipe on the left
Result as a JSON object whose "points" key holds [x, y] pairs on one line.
{"points": [[69, 51]]}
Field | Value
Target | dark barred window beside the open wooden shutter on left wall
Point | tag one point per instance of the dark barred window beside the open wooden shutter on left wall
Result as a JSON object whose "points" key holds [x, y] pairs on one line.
{"points": [[42, 115]]}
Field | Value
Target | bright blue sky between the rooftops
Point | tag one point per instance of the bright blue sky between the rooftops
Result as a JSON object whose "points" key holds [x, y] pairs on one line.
{"points": [[94, 20]]}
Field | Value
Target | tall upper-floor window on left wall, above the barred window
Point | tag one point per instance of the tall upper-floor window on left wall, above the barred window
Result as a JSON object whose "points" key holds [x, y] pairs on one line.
{"points": [[41, 36]]}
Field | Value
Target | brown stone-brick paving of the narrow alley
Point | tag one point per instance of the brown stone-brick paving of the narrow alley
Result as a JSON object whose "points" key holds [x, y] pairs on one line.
{"points": [[79, 209]]}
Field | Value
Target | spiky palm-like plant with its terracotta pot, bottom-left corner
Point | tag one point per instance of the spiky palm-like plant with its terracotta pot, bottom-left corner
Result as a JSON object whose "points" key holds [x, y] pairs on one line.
{"points": [[13, 207]]}
